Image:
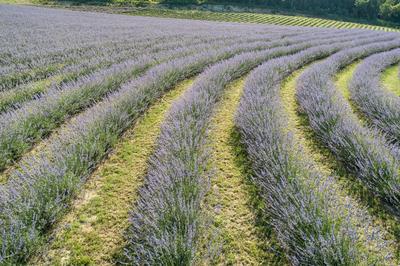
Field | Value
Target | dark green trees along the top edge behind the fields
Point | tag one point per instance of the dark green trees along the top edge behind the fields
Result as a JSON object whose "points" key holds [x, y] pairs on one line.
{"points": [[371, 10]]}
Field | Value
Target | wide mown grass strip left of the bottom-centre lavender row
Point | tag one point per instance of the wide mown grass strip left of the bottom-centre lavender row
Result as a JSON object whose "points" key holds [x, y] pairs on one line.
{"points": [[92, 233]]}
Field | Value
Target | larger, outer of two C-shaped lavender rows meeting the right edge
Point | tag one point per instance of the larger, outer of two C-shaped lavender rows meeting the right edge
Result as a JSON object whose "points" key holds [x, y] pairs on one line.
{"points": [[364, 153]]}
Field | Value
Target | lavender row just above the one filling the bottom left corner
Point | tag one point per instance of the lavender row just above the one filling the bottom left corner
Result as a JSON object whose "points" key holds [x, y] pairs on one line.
{"points": [[21, 128]]}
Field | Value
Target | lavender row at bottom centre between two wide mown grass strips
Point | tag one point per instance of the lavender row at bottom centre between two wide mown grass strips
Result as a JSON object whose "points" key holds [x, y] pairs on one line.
{"points": [[168, 223]]}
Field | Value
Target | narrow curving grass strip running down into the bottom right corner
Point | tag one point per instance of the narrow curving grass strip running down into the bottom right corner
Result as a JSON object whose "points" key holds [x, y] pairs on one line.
{"points": [[347, 188]]}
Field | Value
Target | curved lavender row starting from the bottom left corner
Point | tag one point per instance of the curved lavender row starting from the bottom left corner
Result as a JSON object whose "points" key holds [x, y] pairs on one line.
{"points": [[39, 191]]}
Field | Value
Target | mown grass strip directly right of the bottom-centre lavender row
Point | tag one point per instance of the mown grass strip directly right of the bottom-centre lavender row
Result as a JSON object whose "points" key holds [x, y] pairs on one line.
{"points": [[232, 197]]}
